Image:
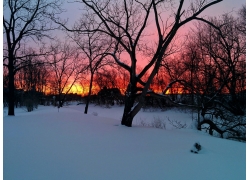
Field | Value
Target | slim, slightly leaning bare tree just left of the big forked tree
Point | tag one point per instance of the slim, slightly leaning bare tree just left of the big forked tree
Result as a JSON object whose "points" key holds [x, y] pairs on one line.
{"points": [[93, 45]]}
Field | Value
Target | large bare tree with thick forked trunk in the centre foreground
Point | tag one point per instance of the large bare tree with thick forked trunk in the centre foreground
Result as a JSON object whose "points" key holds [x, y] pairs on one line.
{"points": [[128, 24]]}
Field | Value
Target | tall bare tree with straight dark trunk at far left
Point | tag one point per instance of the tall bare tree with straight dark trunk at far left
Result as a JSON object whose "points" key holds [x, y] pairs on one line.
{"points": [[24, 21]]}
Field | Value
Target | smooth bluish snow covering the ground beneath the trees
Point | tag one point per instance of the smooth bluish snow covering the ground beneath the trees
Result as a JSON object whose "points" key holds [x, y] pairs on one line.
{"points": [[69, 145]]}
